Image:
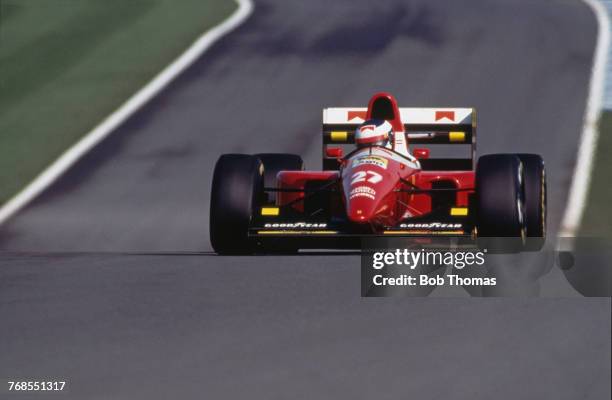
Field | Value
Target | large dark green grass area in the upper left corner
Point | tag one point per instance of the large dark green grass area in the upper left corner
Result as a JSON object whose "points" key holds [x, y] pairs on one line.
{"points": [[66, 64]]}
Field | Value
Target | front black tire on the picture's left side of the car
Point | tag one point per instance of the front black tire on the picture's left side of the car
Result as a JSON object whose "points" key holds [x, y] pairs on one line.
{"points": [[235, 197]]}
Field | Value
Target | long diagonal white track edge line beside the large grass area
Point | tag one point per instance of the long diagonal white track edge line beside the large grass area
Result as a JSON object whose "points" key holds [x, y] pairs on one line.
{"points": [[139, 99]]}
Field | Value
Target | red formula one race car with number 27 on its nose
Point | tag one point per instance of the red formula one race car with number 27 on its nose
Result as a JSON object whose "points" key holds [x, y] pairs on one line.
{"points": [[380, 188]]}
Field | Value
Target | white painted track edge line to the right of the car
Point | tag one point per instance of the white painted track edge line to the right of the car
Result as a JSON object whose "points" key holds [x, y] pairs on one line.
{"points": [[584, 163]]}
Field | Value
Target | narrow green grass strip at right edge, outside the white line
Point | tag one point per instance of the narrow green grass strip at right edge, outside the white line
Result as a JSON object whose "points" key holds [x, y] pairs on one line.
{"points": [[597, 220]]}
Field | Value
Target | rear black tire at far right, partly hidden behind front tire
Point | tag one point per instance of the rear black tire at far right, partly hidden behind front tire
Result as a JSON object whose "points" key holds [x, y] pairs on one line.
{"points": [[535, 200]]}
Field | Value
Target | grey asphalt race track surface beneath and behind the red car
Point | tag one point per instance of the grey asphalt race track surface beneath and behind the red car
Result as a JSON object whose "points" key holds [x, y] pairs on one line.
{"points": [[108, 279]]}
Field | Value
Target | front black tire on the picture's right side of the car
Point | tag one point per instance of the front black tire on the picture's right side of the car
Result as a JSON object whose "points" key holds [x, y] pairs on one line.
{"points": [[500, 215]]}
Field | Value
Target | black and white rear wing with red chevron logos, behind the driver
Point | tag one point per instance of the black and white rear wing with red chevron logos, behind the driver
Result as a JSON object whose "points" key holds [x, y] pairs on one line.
{"points": [[423, 126]]}
